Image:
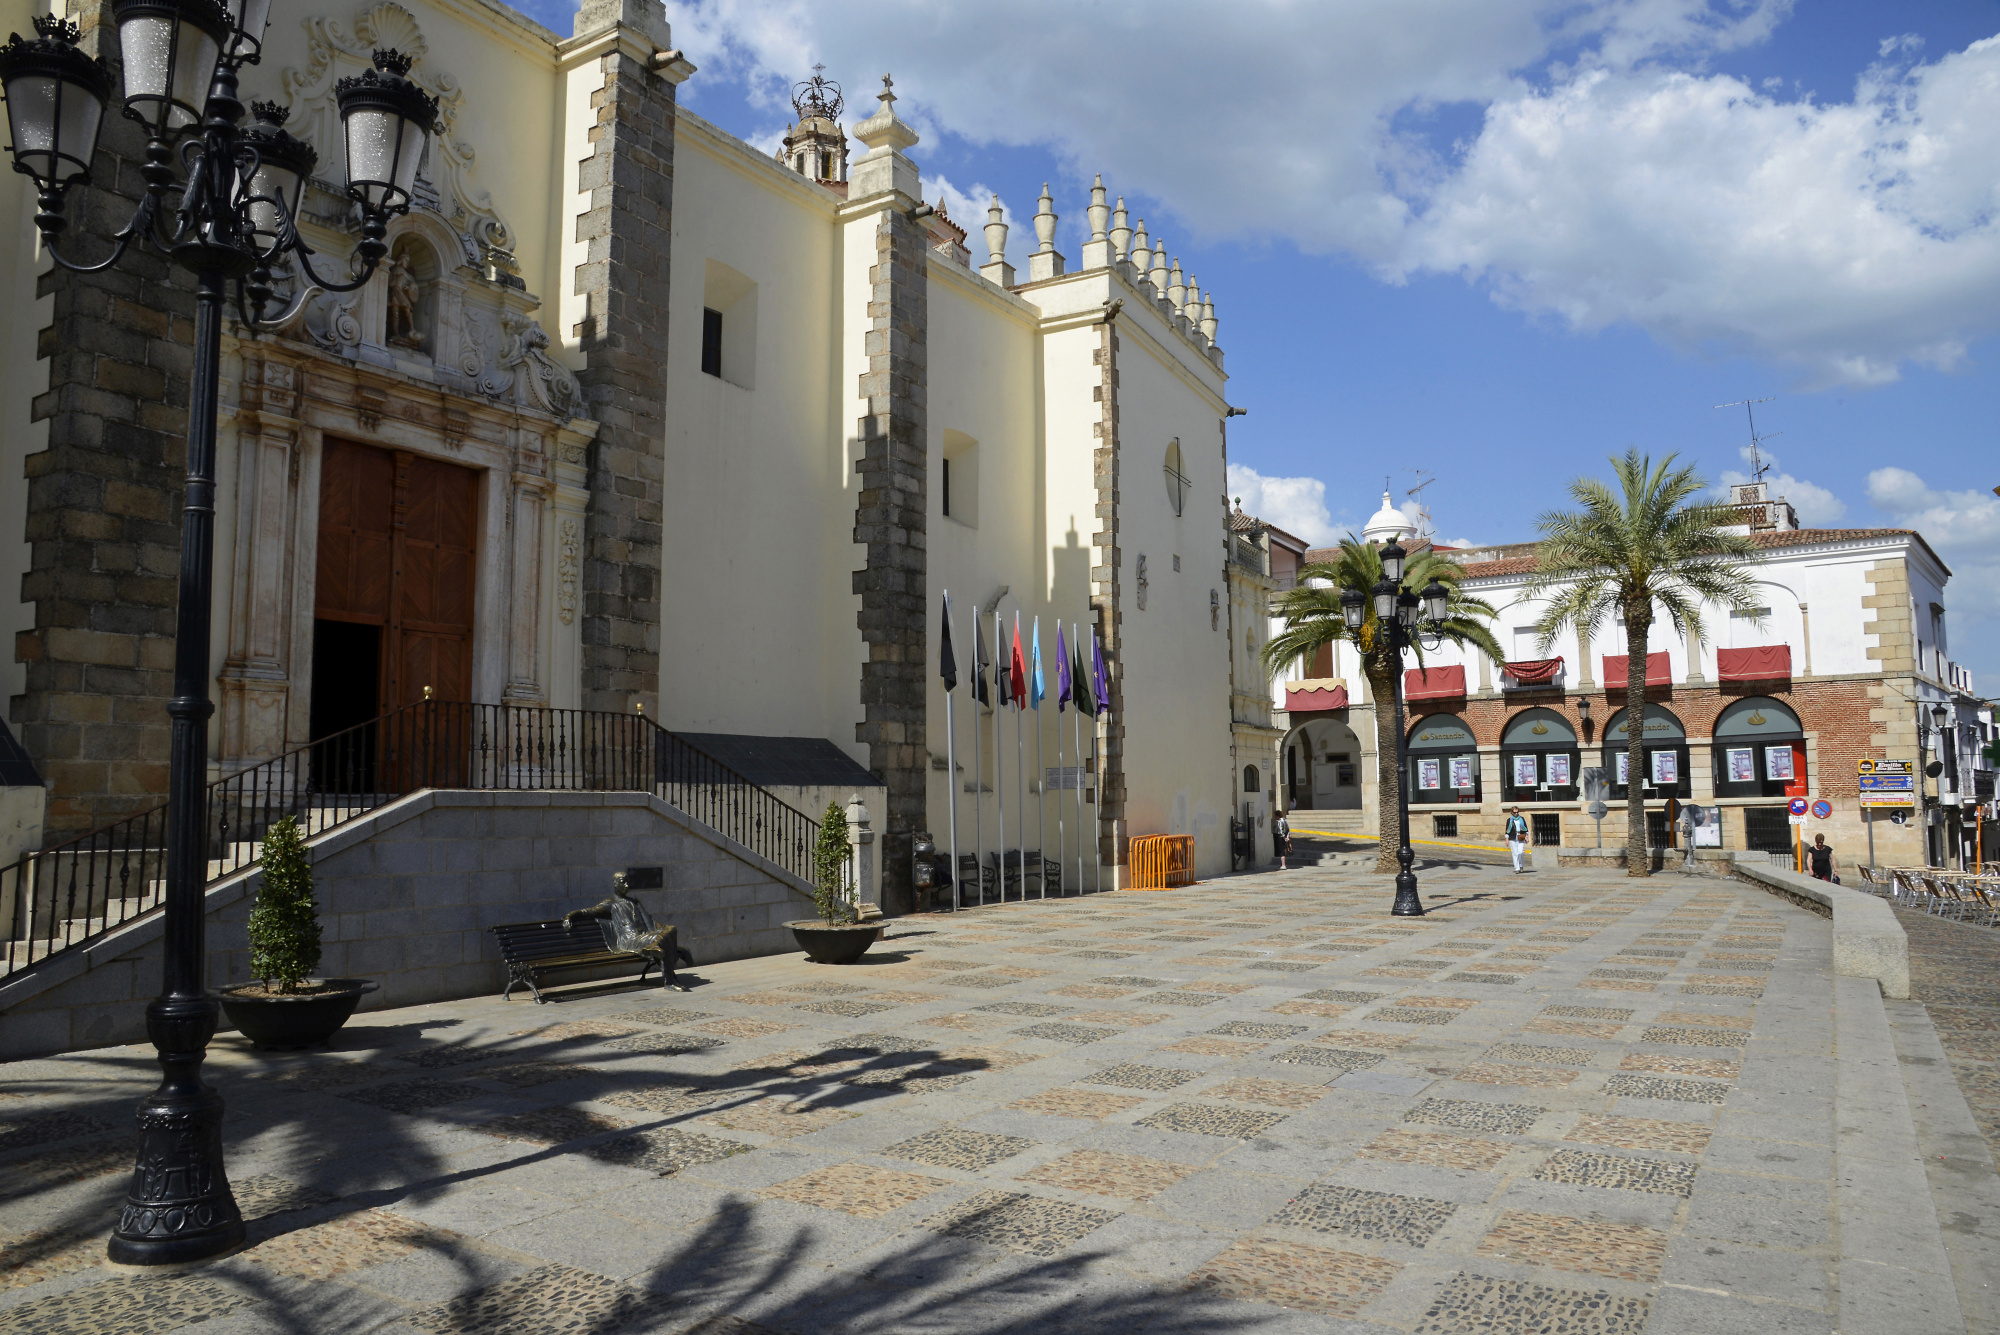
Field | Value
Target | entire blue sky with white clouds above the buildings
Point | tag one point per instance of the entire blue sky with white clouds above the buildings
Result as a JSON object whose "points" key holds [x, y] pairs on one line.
{"points": [[1505, 239]]}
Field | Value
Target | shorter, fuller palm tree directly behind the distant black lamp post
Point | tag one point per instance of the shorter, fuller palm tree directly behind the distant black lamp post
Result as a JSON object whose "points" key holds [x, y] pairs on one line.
{"points": [[1313, 621]]}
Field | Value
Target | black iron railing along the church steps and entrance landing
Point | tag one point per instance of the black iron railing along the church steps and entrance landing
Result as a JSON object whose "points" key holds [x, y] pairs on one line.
{"points": [[69, 894]]}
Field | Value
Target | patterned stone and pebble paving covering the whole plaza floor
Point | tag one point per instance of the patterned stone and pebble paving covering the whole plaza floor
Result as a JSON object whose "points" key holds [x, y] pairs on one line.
{"points": [[1563, 1102]]}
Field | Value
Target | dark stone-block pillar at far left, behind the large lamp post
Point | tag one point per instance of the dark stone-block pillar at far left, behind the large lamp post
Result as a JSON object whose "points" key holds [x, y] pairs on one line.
{"points": [[105, 503]]}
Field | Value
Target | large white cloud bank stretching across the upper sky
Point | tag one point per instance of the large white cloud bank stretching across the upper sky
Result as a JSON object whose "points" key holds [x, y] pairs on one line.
{"points": [[1611, 181]]}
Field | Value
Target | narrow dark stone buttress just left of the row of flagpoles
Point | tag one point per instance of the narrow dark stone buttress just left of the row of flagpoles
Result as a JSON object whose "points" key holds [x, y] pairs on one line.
{"points": [[891, 523]]}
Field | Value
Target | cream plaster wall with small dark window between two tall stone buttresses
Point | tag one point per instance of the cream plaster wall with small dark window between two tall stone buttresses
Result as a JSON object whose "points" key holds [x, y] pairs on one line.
{"points": [[759, 475]]}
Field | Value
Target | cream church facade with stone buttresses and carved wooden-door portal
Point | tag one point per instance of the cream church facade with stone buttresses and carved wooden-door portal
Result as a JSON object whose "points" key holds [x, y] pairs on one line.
{"points": [[635, 419]]}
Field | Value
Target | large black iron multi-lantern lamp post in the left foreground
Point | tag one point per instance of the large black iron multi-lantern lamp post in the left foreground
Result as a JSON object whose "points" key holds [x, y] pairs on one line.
{"points": [[223, 203]]}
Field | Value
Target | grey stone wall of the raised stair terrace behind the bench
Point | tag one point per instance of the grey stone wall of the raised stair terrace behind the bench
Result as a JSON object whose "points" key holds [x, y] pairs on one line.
{"points": [[407, 898]]}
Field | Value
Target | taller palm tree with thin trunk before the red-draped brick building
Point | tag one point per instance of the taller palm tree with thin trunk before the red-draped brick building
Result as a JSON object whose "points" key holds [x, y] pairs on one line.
{"points": [[1639, 551]]}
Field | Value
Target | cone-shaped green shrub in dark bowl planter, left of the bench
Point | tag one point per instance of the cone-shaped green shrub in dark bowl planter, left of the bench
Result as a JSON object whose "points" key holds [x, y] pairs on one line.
{"points": [[289, 1008]]}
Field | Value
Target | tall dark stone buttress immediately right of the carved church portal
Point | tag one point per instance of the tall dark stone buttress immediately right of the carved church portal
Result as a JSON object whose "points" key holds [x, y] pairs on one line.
{"points": [[623, 339]]}
